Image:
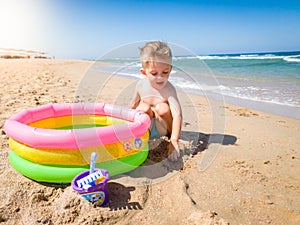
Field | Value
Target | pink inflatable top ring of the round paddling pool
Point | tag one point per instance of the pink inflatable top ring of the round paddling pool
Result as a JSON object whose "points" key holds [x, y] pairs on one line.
{"points": [[18, 126]]}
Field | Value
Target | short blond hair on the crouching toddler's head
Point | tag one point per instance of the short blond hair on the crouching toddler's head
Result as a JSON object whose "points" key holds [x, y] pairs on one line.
{"points": [[155, 51]]}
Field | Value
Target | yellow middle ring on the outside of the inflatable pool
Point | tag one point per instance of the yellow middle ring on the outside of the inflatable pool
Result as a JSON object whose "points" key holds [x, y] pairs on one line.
{"points": [[57, 156]]}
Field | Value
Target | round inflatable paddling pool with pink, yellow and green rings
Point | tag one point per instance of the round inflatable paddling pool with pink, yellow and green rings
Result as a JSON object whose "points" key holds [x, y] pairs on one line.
{"points": [[53, 143]]}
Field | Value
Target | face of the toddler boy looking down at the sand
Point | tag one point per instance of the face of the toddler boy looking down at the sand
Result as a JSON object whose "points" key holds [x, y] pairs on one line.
{"points": [[158, 74]]}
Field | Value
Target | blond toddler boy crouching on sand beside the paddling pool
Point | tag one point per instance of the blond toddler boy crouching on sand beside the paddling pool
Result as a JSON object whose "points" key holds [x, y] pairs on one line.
{"points": [[157, 97]]}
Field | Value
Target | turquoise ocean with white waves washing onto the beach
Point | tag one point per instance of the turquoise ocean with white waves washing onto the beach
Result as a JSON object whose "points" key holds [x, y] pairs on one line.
{"points": [[265, 81]]}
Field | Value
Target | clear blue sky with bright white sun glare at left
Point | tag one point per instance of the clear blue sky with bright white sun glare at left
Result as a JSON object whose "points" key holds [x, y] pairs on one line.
{"points": [[86, 29]]}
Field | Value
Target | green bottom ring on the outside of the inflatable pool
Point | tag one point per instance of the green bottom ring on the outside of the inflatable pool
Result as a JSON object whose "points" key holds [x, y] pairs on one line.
{"points": [[65, 174]]}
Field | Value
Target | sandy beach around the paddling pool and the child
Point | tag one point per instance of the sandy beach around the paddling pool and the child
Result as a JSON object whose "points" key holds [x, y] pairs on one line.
{"points": [[237, 165]]}
